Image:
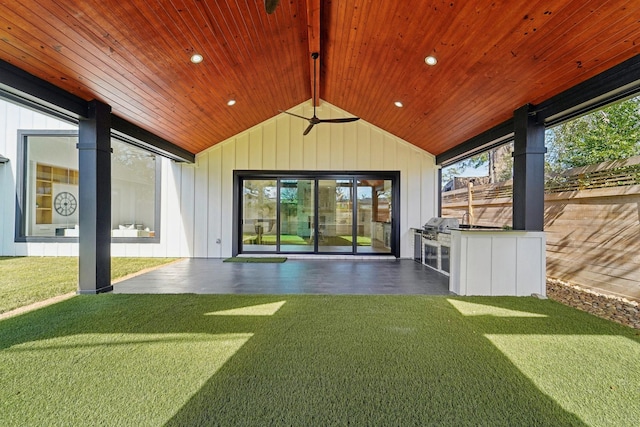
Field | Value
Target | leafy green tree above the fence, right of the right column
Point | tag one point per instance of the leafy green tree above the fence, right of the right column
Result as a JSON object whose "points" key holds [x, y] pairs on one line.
{"points": [[612, 133]]}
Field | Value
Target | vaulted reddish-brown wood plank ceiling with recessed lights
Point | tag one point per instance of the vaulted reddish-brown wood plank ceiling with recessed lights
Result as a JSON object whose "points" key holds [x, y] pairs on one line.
{"points": [[493, 57]]}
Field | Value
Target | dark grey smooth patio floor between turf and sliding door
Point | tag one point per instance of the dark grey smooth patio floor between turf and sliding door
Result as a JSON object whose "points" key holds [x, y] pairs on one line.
{"points": [[295, 276]]}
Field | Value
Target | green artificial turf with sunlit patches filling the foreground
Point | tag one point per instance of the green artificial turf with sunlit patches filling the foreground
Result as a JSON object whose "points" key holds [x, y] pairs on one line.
{"points": [[309, 360]]}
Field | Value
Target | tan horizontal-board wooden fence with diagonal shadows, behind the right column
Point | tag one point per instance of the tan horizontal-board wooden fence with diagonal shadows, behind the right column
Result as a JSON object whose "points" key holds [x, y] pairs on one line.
{"points": [[592, 220]]}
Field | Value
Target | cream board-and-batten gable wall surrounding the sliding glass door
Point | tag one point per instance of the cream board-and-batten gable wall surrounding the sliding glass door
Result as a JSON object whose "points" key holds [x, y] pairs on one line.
{"points": [[206, 202]]}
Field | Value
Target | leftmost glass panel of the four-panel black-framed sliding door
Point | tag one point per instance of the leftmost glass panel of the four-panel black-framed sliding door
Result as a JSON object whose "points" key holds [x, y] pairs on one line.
{"points": [[259, 213]]}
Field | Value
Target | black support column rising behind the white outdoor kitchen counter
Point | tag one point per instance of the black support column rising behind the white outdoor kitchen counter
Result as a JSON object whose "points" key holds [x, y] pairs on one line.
{"points": [[528, 171]]}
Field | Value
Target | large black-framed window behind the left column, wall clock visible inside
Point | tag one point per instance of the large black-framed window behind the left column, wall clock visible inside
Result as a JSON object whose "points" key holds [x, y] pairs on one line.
{"points": [[48, 198]]}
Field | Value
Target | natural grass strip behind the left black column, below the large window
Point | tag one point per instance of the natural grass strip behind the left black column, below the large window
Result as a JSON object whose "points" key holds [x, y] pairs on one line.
{"points": [[25, 280]]}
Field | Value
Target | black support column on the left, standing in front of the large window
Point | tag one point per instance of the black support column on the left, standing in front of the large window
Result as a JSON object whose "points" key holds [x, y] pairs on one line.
{"points": [[95, 200]]}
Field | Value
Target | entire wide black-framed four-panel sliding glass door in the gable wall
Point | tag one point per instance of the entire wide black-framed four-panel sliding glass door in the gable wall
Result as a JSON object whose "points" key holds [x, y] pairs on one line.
{"points": [[317, 214]]}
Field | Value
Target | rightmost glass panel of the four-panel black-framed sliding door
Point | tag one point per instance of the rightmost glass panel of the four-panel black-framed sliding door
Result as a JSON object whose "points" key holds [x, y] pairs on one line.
{"points": [[374, 216]]}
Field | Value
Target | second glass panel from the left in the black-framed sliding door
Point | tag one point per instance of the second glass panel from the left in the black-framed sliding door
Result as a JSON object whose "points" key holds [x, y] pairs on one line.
{"points": [[296, 215]]}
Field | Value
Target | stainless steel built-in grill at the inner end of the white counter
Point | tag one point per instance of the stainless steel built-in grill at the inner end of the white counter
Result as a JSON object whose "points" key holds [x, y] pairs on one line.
{"points": [[436, 238]]}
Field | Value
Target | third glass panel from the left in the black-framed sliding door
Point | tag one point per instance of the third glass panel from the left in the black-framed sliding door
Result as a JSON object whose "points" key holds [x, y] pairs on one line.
{"points": [[335, 215]]}
